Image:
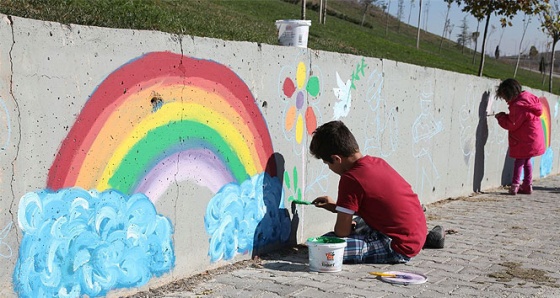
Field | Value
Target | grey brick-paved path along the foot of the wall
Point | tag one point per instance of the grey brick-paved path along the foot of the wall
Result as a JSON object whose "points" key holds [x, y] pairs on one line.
{"points": [[497, 246]]}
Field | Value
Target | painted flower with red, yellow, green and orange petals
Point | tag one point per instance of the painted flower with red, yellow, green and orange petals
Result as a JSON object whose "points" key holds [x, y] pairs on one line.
{"points": [[300, 117]]}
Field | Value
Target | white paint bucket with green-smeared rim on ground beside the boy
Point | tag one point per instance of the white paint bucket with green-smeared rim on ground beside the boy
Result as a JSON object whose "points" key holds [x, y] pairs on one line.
{"points": [[326, 254]]}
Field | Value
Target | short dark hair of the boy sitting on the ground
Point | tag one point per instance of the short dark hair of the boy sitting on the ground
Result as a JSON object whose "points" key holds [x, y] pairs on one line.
{"points": [[333, 138]]}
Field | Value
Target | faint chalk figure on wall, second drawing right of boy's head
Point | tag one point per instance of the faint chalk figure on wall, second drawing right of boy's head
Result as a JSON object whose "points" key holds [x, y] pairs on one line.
{"points": [[424, 129]]}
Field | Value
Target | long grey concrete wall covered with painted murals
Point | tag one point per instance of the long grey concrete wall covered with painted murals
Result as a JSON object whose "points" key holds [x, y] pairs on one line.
{"points": [[132, 158]]}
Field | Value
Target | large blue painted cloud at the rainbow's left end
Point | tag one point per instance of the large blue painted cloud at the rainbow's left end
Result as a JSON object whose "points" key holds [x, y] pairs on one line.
{"points": [[78, 242]]}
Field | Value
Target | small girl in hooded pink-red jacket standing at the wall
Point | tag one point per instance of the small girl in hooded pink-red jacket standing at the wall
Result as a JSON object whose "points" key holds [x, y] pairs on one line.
{"points": [[525, 133]]}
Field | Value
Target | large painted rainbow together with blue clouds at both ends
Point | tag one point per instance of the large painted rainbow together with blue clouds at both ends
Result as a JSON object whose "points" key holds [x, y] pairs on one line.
{"points": [[157, 120]]}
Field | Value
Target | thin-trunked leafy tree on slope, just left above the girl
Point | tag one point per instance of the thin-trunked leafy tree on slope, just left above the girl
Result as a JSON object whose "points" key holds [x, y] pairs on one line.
{"points": [[506, 9]]}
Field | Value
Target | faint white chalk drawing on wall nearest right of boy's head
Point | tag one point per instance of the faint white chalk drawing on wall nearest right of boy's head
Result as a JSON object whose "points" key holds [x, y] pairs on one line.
{"points": [[382, 129]]}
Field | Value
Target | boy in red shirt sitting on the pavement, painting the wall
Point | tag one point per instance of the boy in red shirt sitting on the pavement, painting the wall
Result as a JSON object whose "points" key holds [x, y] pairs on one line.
{"points": [[390, 226]]}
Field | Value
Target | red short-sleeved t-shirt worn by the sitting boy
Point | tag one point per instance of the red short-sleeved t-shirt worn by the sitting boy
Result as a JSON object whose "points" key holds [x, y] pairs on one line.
{"points": [[386, 202]]}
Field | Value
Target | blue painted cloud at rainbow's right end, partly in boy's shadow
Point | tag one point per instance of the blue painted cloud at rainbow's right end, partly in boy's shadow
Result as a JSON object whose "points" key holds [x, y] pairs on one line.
{"points": [[240, 218]]}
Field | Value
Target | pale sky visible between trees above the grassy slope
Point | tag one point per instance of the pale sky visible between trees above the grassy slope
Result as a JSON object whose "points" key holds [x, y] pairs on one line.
{"points": [[507, 38]]}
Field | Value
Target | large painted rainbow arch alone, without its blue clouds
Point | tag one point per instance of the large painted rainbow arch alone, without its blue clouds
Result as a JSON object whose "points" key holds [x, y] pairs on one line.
{"points": [[161, 118]]}
